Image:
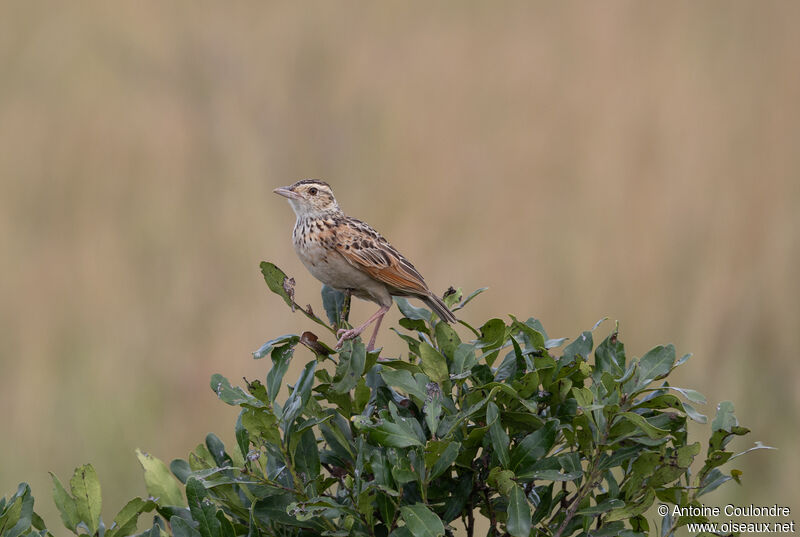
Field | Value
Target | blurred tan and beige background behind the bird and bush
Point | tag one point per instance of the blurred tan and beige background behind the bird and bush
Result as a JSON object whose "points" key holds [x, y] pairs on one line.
{"points": [[632, 160]]}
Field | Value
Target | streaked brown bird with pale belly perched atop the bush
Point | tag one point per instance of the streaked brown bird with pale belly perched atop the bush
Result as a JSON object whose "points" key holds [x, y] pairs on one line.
{"points": [[350, 256]]}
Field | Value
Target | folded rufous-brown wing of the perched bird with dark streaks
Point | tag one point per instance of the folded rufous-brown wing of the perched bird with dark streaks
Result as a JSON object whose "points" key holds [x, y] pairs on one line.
{"points": [[366, 249]]}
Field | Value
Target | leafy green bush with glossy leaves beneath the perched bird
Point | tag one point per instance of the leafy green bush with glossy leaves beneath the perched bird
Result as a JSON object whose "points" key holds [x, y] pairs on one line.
{"points": [[539, 442]]}
